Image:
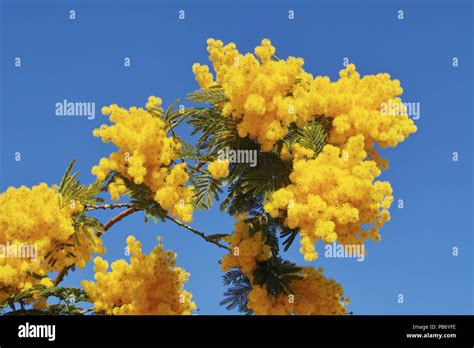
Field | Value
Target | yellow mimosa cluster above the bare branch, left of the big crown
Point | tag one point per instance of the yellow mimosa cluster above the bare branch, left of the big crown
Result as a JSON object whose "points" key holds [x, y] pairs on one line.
{"points": [[145, 155]]}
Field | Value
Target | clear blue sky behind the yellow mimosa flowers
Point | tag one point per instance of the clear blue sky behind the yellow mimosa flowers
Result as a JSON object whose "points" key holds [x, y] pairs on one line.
{"points": [[82, 60]]}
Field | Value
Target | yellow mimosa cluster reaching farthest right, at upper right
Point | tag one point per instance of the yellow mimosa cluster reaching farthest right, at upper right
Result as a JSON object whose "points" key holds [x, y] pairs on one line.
{"points": [[357, 105]]}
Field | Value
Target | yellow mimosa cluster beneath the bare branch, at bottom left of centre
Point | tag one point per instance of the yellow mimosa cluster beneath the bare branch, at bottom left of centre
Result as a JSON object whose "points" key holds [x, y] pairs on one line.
{"points": [[150, 285]]}
